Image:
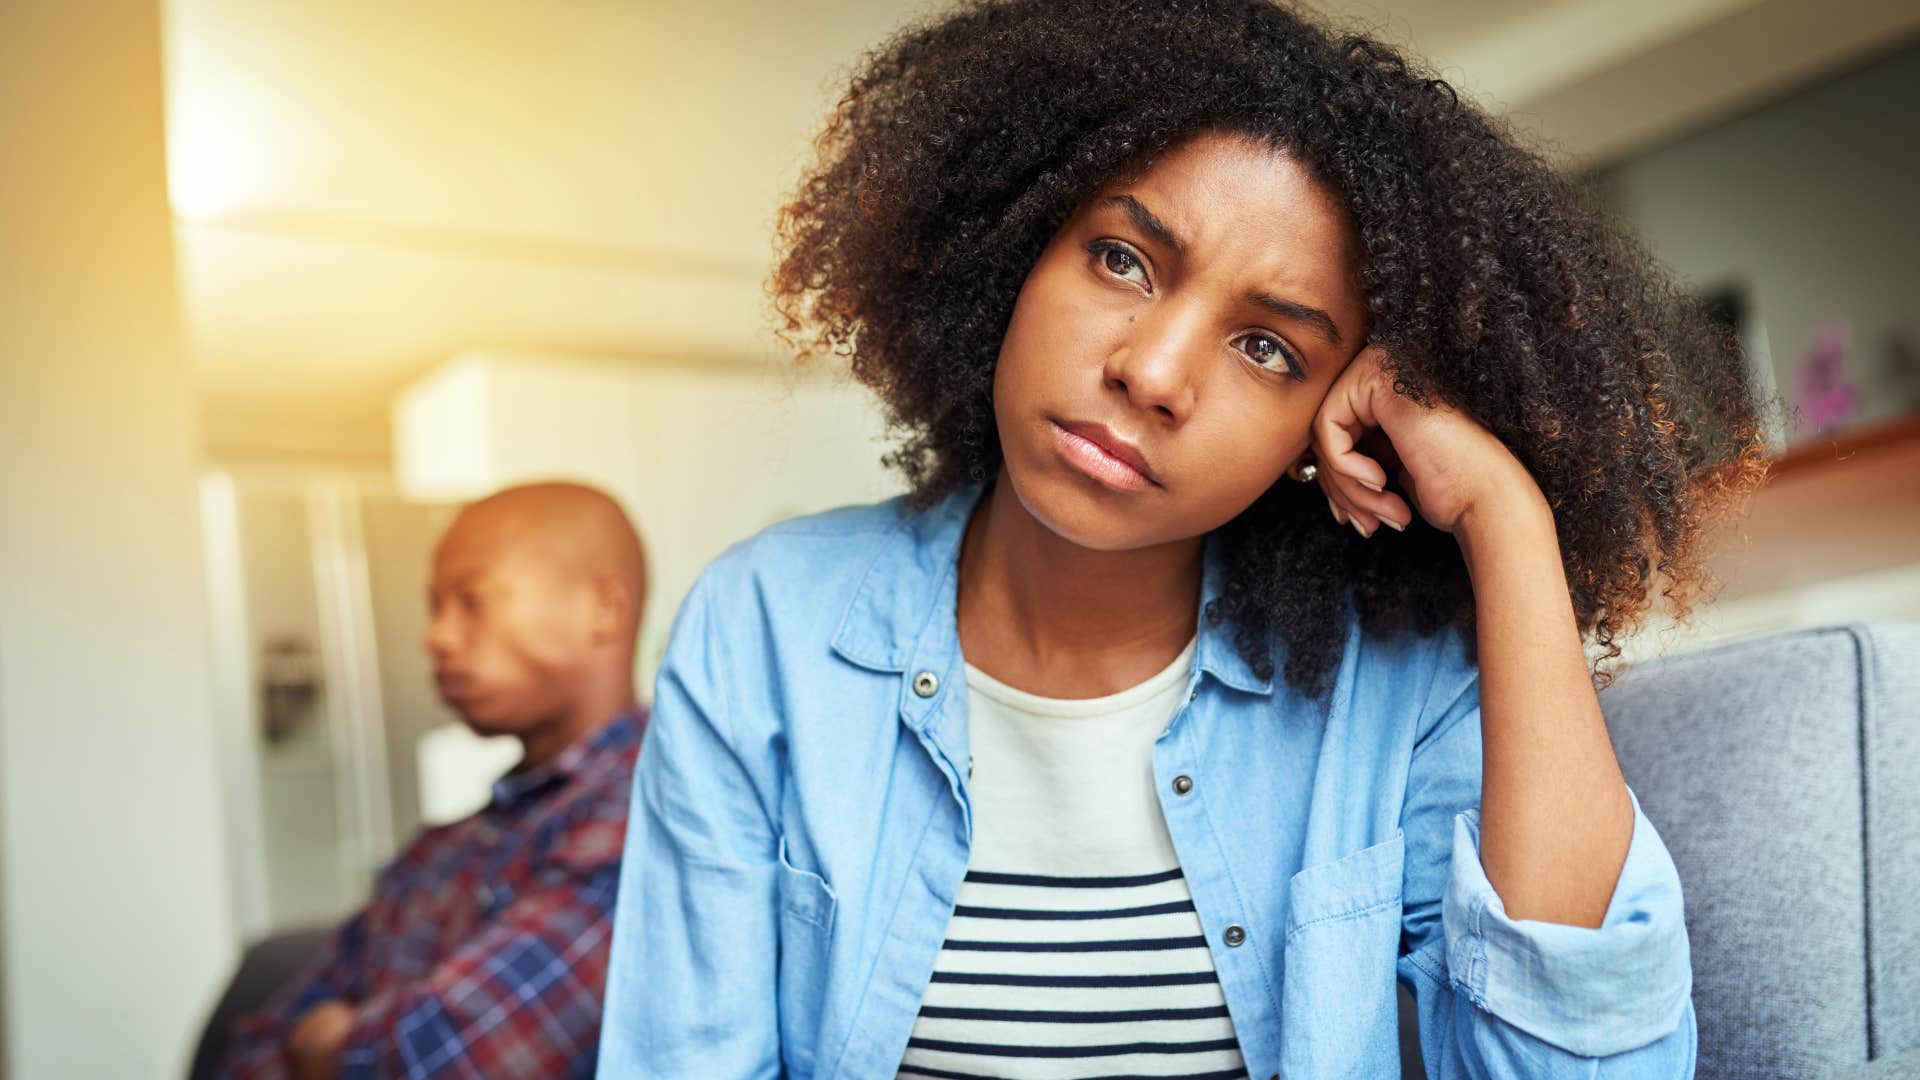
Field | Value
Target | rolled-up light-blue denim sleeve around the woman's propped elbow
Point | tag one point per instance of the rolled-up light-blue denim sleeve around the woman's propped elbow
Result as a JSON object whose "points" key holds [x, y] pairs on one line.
{"points": [[1506, 996]]}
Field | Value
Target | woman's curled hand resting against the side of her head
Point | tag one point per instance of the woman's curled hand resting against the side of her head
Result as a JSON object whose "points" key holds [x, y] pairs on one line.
{"points": [[1439, 456]]}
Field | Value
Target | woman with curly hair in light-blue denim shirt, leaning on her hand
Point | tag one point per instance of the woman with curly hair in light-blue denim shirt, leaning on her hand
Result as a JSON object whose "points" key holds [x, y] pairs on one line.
{"points": [[1132, 745]]}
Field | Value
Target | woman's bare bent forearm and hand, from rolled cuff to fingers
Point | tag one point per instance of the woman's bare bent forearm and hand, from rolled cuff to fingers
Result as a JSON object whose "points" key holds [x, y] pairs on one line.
{"points": [[1556, 818]]}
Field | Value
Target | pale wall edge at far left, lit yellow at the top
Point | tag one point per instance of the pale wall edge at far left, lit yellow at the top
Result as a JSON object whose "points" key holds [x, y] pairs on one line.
{"points": [[114, 918]]}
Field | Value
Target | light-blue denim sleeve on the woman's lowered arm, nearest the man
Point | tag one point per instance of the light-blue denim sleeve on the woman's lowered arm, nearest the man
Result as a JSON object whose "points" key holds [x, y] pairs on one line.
{"points": [[690, 989]]}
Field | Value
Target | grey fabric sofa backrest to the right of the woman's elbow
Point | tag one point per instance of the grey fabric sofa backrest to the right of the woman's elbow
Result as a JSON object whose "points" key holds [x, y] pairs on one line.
{"points": [[1785, 777]]}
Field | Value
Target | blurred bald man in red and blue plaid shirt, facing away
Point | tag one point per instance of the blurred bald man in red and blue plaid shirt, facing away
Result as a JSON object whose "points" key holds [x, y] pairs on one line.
{"points": [[485, 948]]}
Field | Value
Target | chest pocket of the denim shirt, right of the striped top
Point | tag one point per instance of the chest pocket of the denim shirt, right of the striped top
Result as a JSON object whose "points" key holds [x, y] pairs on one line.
{"points": [[1339, 1008]]}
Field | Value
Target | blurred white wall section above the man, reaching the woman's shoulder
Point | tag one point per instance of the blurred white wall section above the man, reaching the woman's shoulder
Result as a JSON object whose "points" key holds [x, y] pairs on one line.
{"points": [[702, 456]]}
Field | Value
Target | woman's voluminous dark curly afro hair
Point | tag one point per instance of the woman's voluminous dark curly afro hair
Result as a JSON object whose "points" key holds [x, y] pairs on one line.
{"points": [[965, 143]]}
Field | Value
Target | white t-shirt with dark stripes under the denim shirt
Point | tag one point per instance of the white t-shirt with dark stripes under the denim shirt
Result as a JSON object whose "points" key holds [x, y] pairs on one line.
{"points": [[1074, 948]]}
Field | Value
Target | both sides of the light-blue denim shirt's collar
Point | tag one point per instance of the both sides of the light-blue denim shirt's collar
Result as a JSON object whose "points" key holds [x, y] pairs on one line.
{"points": [[901, 616]]}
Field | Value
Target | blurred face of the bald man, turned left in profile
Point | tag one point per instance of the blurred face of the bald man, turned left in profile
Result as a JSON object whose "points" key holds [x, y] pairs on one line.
{"points": [[510, 633]]}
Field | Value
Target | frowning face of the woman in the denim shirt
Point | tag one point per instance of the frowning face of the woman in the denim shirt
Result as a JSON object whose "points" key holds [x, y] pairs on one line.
{"points": [[1174, 343]]}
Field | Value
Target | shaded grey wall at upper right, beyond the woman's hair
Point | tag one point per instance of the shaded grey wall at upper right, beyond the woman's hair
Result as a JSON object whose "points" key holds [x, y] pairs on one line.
{"points": [[1810, 207]]}
